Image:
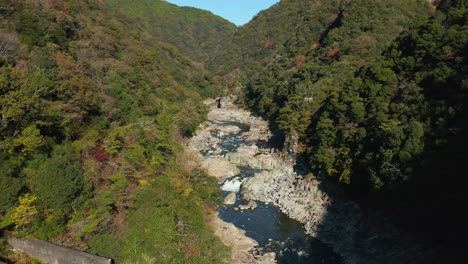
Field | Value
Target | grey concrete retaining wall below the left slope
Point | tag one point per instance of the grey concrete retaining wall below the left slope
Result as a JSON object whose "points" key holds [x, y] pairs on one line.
{"points": [[54, 254]]}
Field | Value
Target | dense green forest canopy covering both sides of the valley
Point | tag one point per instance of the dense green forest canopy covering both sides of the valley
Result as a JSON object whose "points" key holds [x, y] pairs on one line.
{"points": [[96, 97]]}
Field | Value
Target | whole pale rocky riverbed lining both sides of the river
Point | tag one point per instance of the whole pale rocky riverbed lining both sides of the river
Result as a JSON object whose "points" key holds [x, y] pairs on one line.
{"points": [[325, 212]]}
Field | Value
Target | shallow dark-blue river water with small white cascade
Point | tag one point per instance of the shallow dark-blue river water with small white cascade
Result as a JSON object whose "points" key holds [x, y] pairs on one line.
{"points": [[272, 229]]}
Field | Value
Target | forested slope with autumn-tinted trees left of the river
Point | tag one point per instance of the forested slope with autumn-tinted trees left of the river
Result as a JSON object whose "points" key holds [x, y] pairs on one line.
{"points": [[91, 109]]}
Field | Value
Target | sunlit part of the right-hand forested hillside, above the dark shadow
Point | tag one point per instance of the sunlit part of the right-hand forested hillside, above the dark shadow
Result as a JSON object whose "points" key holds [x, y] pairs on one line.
{"points": [[311, 58]]}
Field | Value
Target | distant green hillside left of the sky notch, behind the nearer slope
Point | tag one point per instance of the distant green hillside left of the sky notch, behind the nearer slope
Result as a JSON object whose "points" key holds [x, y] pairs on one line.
{"points": [[196, 33]]}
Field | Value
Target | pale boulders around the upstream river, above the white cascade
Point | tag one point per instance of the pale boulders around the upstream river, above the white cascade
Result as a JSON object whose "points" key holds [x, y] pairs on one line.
{"points": [[222, 165]]}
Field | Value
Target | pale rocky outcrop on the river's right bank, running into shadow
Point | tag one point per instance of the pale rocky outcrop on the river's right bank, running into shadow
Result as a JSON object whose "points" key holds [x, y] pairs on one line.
{"points": [[359, 236]]}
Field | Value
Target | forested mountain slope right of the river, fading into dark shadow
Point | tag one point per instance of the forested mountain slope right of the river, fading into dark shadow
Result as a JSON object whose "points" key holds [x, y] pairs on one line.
{"points": [[304, 72]]}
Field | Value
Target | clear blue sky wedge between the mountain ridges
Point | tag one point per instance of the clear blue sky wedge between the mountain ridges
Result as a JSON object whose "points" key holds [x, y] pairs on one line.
{"points": [[237, 11]]}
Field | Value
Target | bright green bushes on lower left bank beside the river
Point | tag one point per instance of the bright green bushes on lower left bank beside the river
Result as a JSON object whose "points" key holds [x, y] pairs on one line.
{"points": [[164, 225]]}
